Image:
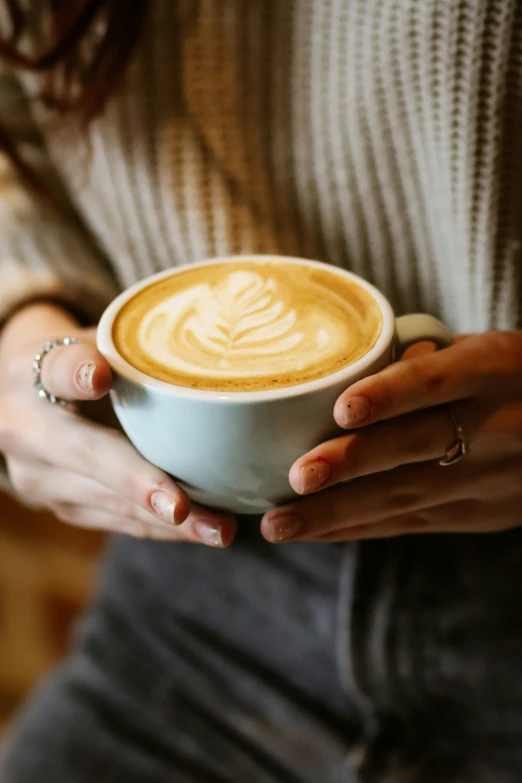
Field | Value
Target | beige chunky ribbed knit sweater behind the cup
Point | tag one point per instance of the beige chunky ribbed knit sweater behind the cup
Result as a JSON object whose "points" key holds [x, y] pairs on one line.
{"points": [[384, 136]]}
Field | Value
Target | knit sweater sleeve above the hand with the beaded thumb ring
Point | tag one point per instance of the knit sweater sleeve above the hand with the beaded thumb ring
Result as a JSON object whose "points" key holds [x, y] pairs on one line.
{"points": [[43, 253]]}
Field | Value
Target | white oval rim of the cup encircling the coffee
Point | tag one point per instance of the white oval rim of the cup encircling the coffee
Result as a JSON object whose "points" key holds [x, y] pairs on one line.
{"points": [[123, 368]]}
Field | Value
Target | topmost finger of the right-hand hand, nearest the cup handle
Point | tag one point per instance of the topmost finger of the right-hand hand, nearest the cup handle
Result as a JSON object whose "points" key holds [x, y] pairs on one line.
{"points": [[474, 365]]}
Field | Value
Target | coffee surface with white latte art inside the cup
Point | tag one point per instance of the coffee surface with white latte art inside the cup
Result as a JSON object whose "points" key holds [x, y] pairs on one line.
{"points": [[247, 325]]}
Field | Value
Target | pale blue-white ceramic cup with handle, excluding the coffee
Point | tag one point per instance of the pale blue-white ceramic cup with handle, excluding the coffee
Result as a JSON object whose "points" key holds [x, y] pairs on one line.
{"points": [[234, 450]]}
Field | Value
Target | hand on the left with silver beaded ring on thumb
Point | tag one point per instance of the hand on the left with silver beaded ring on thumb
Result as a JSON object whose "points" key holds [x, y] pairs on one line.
{"points": [[88, 475]]}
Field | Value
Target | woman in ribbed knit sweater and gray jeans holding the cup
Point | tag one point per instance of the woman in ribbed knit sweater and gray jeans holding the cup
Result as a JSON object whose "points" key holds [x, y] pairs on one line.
{"points": [[383, 137]]}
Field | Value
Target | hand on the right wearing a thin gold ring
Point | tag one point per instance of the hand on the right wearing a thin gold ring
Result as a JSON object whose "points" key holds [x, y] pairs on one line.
{"points": [[384, 478]]}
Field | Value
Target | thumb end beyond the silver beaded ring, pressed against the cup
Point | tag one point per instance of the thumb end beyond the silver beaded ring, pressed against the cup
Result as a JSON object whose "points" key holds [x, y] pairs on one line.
{"points": [[76, 372]]}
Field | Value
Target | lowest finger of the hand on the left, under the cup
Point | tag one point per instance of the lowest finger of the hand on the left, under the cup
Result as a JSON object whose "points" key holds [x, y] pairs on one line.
{"points": [[199, 528]]}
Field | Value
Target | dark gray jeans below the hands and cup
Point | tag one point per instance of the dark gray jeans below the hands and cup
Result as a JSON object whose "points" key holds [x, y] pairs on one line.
{"points": [[201, 666]]}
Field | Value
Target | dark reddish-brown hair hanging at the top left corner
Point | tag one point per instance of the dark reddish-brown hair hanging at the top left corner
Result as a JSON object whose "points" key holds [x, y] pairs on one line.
{"points": [[87, 47]]}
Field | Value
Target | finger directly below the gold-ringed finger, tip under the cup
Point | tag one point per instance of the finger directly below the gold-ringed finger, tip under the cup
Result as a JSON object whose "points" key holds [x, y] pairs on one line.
{"points": [[368, 500]]}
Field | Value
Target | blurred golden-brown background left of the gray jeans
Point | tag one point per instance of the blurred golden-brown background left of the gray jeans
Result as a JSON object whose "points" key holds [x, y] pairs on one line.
{"points": [[46, 576]]}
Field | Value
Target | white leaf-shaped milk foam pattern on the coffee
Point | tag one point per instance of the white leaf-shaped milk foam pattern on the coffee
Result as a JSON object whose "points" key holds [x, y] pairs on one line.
{"points": [[240, 325]]}
